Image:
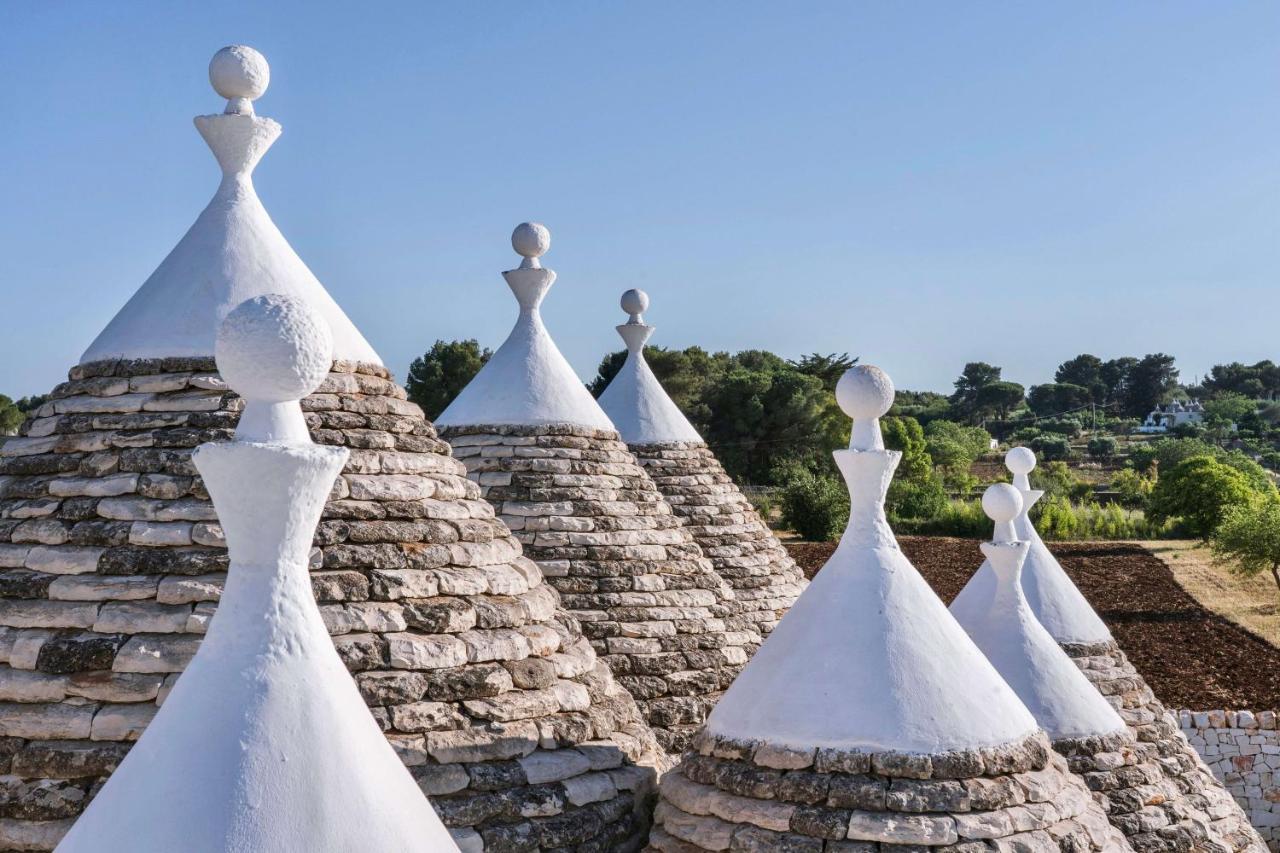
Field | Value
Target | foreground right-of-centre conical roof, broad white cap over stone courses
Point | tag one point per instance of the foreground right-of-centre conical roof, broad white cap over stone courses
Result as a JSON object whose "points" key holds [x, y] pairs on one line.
{"points": [[870, 720]]}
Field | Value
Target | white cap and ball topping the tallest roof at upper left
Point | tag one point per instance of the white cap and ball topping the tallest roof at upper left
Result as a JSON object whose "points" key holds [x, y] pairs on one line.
{"points": [[232, 253]]}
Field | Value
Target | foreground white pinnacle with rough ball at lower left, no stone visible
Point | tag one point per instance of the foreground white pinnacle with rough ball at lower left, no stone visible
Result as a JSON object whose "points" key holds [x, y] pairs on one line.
{"points": [[264, 743]]}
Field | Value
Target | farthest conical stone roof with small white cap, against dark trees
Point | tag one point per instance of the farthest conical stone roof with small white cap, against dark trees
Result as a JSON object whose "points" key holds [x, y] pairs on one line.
{"points": [[720, 518]]}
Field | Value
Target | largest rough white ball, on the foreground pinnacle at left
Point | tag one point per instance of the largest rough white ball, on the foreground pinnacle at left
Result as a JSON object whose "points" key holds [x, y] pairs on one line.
{"points": [[275, 349]]}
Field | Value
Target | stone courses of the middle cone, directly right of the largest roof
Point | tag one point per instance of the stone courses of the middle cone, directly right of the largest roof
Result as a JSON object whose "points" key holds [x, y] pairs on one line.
{"points": [[598, 527]]}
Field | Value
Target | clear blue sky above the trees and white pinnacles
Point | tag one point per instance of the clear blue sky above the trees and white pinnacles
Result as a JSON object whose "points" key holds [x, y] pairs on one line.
{"points": [[918, 184]]}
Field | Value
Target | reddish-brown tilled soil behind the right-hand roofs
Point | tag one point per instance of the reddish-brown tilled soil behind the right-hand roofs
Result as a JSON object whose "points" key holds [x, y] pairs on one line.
{"points": [[1191, 658]]}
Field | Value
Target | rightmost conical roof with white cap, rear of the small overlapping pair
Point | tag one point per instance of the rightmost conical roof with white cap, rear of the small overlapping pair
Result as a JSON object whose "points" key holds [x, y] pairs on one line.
{"points": [[1185, 806]]}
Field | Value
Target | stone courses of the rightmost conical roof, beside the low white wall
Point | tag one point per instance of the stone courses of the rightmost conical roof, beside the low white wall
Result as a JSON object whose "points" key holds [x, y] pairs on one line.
{"points": [[1196, 797]]}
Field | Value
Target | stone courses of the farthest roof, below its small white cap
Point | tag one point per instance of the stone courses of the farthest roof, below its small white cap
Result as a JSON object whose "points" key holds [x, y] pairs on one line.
{"points": [[728, 528]]}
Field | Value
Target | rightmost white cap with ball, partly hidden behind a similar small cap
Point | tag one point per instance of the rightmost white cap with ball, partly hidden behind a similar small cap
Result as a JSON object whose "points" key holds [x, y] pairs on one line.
{"points": [[1055, 600]]}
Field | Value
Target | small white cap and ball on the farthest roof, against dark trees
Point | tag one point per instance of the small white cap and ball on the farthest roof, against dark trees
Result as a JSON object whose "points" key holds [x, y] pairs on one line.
{"points": [[636, 402]]}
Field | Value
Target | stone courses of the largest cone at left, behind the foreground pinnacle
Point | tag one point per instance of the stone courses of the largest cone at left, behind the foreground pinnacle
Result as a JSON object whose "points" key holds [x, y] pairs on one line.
{"points": [[113, 559]]}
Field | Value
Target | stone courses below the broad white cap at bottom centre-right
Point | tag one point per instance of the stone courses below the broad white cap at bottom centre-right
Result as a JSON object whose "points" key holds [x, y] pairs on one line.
{"points": [[753, 797]]}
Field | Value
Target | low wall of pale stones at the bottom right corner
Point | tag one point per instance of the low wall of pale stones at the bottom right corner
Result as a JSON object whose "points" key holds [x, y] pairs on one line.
{"points": [[1244, 750]]}
